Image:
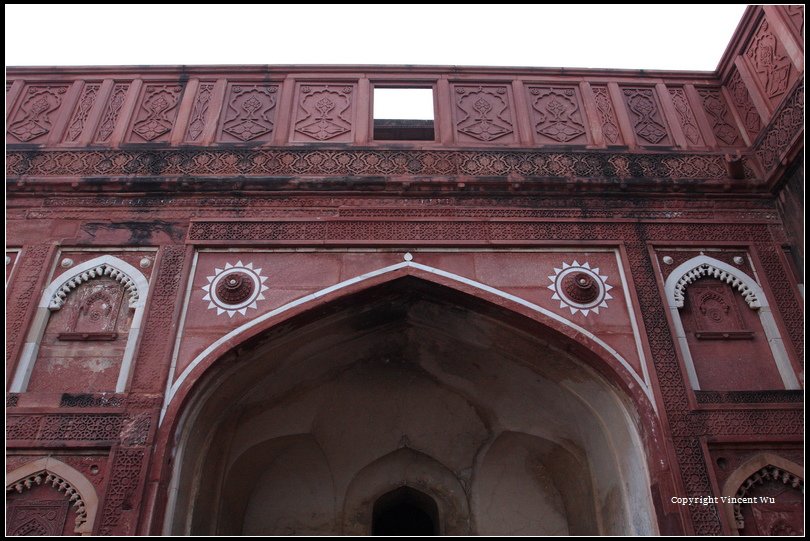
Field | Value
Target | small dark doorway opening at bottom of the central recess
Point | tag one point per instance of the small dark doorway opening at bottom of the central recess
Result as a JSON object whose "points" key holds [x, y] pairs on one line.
{"points": [[405, 511]]}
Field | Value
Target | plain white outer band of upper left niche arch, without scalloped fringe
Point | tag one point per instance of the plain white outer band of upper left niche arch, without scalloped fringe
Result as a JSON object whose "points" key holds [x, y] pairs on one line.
{"points": [[31, 347]]}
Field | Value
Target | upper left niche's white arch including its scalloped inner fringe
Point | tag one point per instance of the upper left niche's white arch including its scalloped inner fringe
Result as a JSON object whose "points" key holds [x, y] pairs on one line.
{"points": [[53, 298]]}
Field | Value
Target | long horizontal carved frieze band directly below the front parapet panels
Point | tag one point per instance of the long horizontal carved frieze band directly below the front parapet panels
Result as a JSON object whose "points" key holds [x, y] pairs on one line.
{"points": [[359, 162]]}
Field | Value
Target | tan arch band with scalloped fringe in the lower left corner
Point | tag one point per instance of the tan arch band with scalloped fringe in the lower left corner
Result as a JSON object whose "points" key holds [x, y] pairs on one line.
{"points": [[50, 471]]}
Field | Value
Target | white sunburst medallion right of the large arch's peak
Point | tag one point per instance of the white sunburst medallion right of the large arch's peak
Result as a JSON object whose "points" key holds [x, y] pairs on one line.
{"points": [[580, 288]]}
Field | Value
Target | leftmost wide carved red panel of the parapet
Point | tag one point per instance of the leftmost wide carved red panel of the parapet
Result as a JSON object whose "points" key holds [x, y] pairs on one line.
{"points": [[36, 113]]}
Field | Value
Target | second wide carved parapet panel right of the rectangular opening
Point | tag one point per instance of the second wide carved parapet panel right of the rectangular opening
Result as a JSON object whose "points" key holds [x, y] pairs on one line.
{"points": [[557, 115]]}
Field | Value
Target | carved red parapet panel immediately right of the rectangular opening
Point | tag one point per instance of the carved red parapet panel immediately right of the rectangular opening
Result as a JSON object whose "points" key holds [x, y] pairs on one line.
{"points": [[483, 114]]}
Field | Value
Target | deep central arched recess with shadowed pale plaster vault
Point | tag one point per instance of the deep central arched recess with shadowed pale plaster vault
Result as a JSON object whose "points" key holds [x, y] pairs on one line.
{"points": [[402, 397]]}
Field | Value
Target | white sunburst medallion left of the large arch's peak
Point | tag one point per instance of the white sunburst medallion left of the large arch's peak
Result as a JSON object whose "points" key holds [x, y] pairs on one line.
{"points": [[234, 288]]}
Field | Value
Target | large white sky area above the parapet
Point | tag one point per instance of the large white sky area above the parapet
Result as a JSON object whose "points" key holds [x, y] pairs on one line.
{"points": [[686, 37]]}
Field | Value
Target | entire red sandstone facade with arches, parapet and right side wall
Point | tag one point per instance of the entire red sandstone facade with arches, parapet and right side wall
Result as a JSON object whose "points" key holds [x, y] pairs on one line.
{"points": [[192, 253]]}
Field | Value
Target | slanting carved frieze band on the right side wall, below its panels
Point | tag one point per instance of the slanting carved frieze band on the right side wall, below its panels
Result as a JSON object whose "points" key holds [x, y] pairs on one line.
{"points": [[787, 123]]}
